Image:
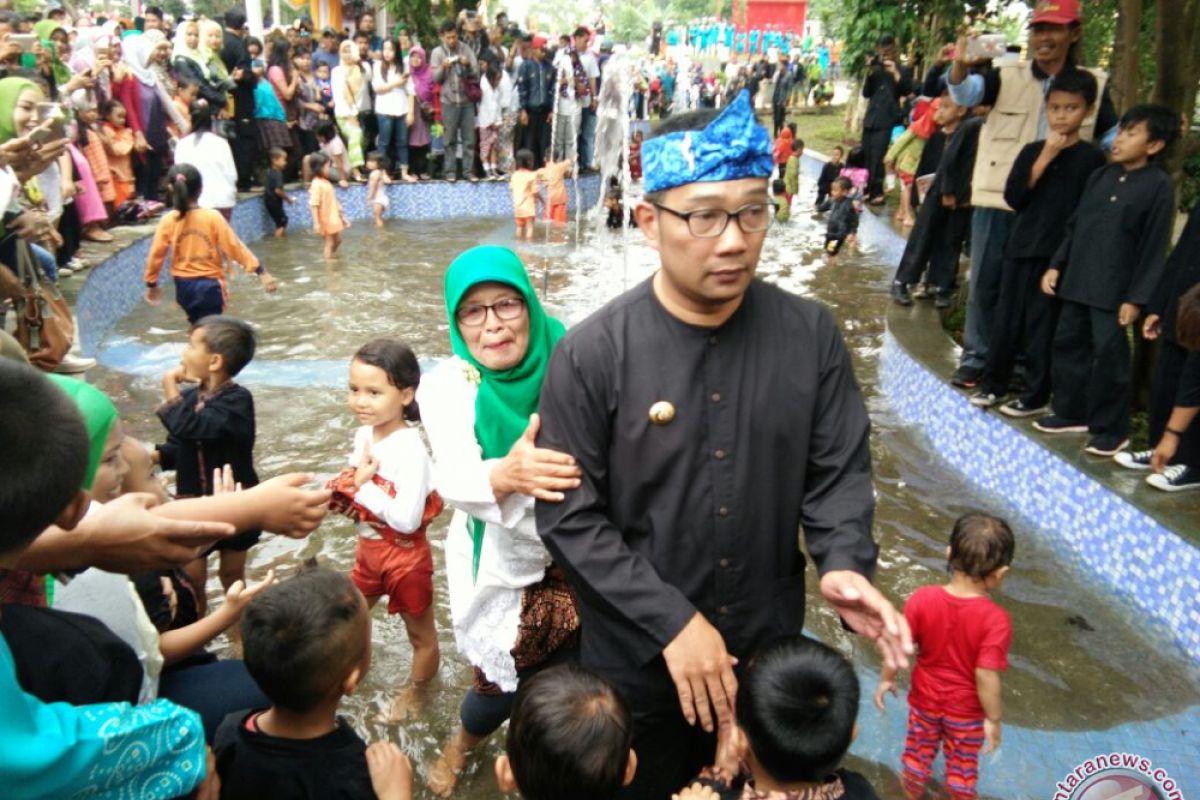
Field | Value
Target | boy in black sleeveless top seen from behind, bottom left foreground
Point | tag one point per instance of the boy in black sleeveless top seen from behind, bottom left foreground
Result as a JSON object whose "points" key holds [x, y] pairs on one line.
{"points": [[308, 643]]}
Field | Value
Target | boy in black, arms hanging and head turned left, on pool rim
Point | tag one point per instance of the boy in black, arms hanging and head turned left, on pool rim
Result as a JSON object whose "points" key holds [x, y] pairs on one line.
{"points": [[1106, 273]]}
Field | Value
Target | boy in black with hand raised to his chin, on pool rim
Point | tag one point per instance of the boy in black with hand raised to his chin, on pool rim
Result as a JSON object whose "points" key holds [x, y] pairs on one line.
{"points": [[1045, 189]]}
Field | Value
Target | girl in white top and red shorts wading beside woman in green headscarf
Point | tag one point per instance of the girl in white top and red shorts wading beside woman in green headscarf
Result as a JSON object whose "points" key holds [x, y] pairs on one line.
{"points": [[388, 491]]}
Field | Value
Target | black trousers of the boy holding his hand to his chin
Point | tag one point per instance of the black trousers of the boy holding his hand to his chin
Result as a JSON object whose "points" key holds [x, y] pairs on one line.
{"points": [[1023, 324]]}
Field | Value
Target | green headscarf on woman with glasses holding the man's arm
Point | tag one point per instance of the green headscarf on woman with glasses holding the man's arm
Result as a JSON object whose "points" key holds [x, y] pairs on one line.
{"points": [[506, 399]]}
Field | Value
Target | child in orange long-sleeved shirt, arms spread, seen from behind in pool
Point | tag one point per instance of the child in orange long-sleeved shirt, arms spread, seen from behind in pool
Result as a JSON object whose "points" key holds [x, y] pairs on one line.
{"points": [[199, 239]]}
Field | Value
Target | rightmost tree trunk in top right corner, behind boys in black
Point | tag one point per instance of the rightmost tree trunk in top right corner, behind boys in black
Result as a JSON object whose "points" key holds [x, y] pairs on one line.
{"points": [[1178, 39]]}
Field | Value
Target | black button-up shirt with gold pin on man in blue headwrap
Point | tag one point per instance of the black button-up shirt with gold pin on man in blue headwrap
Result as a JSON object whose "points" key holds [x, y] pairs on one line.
{"points": [[704, 513]]}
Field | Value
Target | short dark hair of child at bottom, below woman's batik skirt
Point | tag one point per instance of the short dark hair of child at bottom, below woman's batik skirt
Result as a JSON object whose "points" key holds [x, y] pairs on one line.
{"points": [[569, 737]]}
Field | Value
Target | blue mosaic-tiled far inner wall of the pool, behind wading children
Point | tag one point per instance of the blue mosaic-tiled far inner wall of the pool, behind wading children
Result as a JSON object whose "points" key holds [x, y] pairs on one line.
{"points": [[115, 287]]}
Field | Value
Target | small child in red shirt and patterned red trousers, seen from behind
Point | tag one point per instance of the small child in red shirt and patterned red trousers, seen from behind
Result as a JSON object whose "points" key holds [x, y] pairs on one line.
{"points": [[963, 640]]}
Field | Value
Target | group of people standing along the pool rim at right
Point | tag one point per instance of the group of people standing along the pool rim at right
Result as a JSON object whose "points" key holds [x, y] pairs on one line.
{"points": [[1069, 215]]}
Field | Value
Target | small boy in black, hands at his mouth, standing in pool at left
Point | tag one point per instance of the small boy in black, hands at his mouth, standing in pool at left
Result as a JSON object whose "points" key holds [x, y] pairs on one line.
{"points": [[211, 425]]}
